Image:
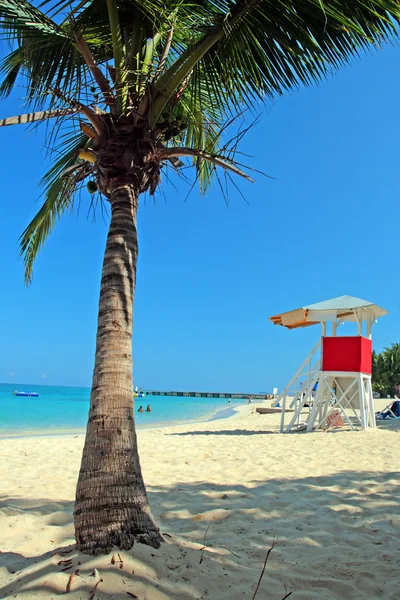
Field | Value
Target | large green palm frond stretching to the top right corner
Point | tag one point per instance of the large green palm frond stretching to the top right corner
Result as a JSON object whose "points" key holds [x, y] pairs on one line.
{"points": [[258, 48]]}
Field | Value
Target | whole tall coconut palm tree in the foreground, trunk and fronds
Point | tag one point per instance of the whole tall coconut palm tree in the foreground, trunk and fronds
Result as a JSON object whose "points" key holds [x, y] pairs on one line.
{"points": [[131, 87]]}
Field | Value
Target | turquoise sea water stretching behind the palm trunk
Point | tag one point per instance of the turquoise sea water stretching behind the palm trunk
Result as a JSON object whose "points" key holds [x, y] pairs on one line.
{"points": [[66, 408]]}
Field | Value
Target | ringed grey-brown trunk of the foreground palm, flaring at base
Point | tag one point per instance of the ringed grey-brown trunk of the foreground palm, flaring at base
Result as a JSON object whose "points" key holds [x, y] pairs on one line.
{"points": [[111, 506]]}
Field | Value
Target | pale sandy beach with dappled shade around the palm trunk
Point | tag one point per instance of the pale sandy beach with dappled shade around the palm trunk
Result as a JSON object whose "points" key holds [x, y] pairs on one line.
{"points": [[222, 492]]}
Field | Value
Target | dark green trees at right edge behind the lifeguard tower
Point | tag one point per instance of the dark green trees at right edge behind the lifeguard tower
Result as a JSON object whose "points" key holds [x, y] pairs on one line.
{"points": [[386, 371]]}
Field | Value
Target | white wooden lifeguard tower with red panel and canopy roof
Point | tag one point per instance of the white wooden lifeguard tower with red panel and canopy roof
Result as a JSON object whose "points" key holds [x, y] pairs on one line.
{"points": [[333, 385]]}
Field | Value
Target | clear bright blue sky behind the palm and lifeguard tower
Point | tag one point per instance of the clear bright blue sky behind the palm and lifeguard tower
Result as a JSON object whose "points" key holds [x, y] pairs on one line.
{"points": [[209, 277]]}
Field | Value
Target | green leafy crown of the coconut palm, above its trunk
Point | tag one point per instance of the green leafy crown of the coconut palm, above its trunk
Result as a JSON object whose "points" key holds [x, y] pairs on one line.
{"points": [[166, 76]]}
